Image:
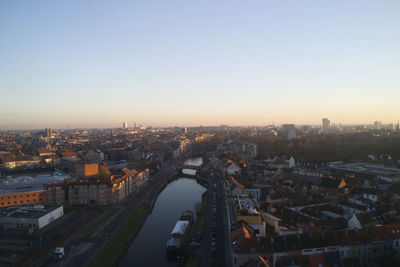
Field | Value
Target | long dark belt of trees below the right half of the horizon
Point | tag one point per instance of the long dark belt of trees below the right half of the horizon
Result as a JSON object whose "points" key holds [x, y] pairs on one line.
{"points": [[315, 148]]}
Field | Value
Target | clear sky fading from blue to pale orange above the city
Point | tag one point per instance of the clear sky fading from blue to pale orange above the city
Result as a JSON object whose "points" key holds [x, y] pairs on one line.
{"points": [[99, 63]]}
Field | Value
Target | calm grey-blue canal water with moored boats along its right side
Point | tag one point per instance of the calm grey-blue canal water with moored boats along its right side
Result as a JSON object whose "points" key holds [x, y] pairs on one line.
{"points": [[148, 248]]}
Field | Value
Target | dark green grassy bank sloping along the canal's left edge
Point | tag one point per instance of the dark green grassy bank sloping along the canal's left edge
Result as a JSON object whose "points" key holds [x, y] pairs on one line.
{"points": [[120, 241]]}
